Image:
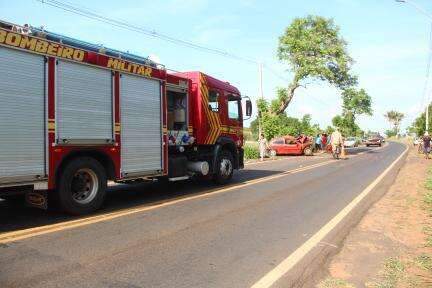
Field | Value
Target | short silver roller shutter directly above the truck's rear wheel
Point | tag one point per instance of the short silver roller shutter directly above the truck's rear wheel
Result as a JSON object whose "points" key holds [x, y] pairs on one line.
{"points": [[84, 103]]}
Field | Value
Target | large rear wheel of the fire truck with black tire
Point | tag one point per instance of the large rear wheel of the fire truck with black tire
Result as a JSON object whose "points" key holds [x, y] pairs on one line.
{"points": [[82, 186]]}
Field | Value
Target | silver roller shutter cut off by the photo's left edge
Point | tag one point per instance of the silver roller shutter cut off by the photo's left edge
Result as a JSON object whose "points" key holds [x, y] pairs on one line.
{"points": [[22, 130]]}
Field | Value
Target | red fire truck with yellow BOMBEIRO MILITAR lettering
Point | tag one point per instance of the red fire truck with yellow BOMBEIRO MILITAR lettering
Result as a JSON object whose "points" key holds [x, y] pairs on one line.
{"points": [[76, 115]]}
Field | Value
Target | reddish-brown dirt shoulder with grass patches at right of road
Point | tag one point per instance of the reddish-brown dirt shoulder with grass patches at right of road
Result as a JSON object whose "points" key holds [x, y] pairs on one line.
{"points": [[392, 244]]}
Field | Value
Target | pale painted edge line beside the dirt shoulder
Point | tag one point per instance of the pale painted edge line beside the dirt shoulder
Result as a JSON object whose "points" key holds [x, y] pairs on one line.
{"points": [[294, 258]]}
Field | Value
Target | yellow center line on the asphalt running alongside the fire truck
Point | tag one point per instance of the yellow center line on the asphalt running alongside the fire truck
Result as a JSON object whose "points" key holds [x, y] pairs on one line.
{"points": [[36, 231]]}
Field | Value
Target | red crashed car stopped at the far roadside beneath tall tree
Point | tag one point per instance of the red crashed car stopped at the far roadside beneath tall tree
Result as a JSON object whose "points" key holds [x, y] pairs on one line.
{"points": [[289, 145]]}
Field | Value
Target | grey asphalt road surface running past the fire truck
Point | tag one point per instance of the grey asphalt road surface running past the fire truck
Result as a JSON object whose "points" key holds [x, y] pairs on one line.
{"points": [[207, 239]]}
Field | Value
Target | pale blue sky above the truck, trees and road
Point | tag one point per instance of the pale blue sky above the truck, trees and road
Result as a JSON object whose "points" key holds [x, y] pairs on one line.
{"points": [[388, 41]]}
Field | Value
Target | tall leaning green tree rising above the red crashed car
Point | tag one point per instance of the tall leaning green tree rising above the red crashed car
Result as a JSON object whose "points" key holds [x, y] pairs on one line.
{"points": [[314, 50]]}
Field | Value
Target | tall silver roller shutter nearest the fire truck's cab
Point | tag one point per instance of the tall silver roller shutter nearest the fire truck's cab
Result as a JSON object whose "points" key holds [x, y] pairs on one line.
{"points": [[140, 104]]}
